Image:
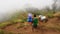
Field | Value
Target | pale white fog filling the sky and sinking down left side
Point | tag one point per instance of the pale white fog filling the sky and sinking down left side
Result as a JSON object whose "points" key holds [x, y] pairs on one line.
{"points": [[7, 7]]}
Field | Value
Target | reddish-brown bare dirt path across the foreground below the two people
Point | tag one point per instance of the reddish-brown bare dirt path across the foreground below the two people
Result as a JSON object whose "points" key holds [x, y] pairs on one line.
{"points": [[28, 30]]}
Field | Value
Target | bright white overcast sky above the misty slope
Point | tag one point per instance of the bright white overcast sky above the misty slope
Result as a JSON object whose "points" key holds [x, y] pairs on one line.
{"points": [[6, 5]]}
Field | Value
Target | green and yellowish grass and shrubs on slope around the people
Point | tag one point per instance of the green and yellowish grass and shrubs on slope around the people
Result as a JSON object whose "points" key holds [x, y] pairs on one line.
{"points": [[21, 17]]}
